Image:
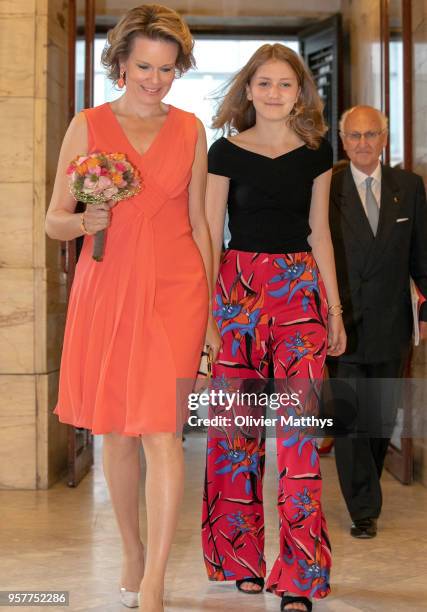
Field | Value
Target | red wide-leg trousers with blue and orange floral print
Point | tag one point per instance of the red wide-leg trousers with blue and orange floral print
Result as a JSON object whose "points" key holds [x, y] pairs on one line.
{"points": [[271, 310]]}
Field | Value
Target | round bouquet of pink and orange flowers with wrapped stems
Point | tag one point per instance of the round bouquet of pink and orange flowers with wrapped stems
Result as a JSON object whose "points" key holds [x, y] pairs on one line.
{"points": [[99, 178]]}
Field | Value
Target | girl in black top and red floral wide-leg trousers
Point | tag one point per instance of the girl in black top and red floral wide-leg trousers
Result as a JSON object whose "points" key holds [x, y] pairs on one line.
{"points": [[277, 307]]}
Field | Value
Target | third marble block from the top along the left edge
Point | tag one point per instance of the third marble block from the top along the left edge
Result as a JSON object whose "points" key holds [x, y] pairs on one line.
{"points": [[16, 225]]}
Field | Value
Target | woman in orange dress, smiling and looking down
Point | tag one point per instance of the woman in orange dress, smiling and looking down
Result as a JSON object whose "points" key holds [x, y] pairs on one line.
{"points": [[137, 320]]}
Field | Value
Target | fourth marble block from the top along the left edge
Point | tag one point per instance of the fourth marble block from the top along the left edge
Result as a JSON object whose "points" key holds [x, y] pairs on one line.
{"points": [[16, 321]]}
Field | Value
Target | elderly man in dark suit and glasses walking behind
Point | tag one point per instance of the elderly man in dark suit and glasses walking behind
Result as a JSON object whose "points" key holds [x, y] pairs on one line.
{"points": [[378, 219]]}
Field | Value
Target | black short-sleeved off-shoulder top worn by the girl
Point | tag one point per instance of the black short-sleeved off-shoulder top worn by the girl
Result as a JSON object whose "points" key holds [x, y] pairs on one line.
{"points": [[269, 199]]}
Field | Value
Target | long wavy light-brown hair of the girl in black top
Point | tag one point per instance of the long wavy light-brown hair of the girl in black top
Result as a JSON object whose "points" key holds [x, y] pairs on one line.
{"points": [[236, 113]]}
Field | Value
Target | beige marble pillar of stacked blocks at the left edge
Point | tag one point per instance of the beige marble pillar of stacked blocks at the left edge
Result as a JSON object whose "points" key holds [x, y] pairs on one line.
{"points": [[33, 110]]}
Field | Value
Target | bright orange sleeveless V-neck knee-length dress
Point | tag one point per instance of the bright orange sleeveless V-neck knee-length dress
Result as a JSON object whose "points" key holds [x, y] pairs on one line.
{"points": [[136, 321]]}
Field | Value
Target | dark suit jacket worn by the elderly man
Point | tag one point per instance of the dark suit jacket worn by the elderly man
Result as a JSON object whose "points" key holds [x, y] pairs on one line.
{"points": [[373, 272]]}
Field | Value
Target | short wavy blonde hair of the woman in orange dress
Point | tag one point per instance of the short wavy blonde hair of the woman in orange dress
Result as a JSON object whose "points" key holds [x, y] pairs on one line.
{"points": [[153, 21]]}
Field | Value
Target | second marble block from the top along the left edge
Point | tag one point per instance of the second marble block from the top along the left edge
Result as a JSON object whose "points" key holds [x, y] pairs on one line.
{"points": [[16, 138]]}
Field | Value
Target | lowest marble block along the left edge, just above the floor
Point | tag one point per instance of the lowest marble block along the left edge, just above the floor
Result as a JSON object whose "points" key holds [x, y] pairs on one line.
{"points": [[17, 432]]}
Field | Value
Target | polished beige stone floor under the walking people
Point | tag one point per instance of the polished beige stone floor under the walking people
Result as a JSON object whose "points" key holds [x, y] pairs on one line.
{"points": [[66, 539]]}
